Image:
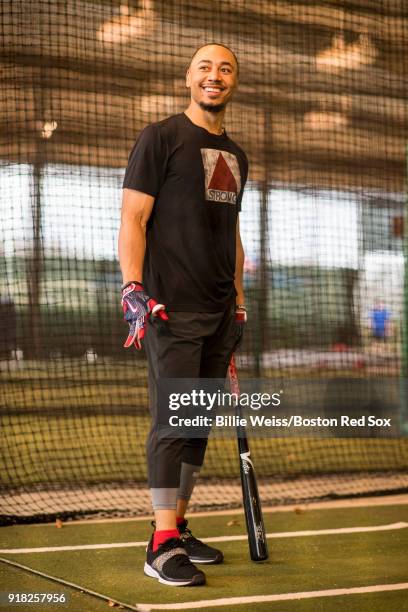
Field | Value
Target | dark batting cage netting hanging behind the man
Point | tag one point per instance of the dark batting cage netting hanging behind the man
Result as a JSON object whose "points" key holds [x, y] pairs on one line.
{"points": [[321, 113]]}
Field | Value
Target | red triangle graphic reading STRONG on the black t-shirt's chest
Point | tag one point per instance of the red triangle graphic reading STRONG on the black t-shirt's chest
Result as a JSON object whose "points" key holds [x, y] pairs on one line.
{"points": [[222, 176]]}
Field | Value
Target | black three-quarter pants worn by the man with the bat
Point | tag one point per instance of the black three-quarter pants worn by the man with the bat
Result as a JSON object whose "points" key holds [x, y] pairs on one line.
{"points": [[198, 345]]}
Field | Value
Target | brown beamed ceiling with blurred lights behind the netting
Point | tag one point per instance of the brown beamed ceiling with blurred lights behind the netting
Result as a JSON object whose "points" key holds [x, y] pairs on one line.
{"points": [[321, 102]]}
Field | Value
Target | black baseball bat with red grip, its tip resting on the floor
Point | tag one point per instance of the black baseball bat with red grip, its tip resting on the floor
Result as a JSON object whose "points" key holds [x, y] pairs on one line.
{"points": [[258, 547]]}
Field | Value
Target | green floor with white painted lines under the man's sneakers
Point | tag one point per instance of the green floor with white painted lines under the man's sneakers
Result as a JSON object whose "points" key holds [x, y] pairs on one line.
{"points": [[296, 564]]}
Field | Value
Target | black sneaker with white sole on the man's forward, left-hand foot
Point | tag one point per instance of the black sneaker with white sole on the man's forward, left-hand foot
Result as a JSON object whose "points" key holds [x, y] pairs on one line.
{"points": [[171, 565]]}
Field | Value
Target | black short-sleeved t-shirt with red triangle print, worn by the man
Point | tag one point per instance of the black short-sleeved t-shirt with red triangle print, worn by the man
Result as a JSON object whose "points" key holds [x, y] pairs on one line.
{"points": [[197, 179]]}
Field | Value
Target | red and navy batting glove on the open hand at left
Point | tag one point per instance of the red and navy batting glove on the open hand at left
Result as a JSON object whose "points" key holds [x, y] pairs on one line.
{"points": [[137, 306]]}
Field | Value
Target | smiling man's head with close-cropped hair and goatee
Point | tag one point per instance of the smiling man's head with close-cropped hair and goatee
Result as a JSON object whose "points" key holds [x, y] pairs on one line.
{"points": [[212, 77]]}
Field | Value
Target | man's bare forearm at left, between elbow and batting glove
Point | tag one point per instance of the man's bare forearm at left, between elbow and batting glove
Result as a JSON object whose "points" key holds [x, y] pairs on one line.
{"points": [[132, 247]]}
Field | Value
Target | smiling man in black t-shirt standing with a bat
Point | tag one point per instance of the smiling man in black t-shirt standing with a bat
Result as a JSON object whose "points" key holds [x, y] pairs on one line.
{"points": [[182, 262]]}
